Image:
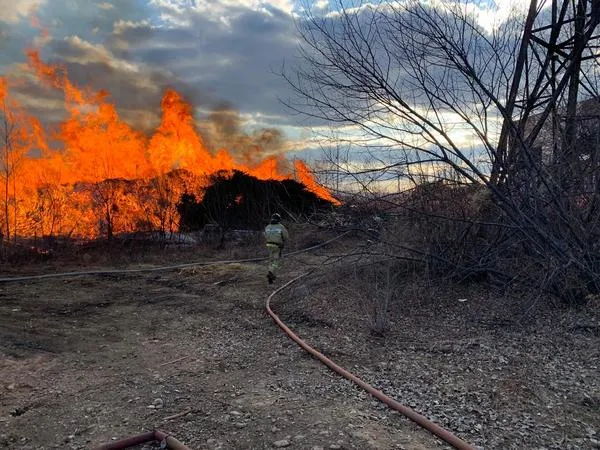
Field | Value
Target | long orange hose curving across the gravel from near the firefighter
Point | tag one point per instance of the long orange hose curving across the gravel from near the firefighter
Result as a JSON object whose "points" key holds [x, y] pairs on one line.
{"points": [[421, 420]]}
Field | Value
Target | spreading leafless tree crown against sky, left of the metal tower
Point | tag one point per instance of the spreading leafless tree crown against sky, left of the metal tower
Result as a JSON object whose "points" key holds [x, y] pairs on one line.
{"points": [[408, 76]]}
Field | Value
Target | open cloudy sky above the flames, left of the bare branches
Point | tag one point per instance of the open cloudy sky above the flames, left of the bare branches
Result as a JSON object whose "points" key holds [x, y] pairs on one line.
{"points": [[221, 54]]}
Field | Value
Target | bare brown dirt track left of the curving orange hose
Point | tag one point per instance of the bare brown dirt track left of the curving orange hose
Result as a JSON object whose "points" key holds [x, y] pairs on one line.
{"points": [[86, 360]]}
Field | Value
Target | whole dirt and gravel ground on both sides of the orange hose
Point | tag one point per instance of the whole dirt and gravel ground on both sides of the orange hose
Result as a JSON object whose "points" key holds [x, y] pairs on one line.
{"points": [[90, 359]]}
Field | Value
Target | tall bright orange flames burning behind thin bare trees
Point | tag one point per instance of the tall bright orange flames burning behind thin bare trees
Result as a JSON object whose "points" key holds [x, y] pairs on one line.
{"points": [[106, 177]]}
